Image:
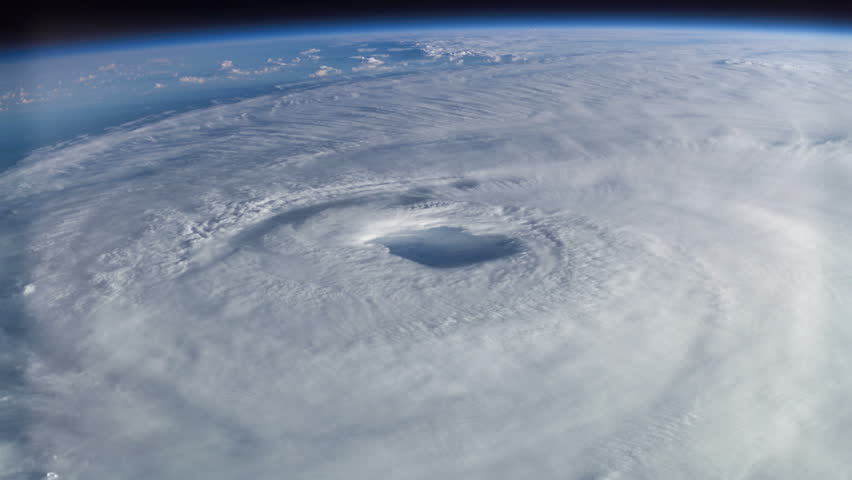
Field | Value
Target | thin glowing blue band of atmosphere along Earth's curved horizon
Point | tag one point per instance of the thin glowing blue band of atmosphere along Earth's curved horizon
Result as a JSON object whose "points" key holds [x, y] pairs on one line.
{"points": [[278, 29]]}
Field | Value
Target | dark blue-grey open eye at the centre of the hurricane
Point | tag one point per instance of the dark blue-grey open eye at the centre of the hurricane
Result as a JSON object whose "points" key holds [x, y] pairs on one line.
{"points": [[447, 247]]}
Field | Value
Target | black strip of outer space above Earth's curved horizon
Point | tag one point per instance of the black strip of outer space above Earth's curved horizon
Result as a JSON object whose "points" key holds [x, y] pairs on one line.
{"points": [[38, 24]]}
